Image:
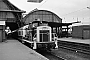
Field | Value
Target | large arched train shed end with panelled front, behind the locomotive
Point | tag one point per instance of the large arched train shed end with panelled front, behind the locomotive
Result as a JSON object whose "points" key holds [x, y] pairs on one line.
{"points": [[42, 15]]}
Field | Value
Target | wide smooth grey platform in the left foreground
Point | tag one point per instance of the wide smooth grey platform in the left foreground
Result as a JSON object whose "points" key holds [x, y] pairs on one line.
{"points": [[14, 50]]}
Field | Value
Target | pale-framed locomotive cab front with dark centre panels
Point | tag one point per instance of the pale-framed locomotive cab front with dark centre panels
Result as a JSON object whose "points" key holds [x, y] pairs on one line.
{"points": [[44, 34]]}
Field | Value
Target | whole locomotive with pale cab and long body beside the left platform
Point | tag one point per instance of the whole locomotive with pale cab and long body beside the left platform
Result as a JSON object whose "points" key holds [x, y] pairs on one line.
{"points": [[38, 35]]}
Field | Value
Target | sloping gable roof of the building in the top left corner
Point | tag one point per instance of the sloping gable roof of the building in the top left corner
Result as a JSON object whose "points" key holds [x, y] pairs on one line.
{"points": [[6, 6]]}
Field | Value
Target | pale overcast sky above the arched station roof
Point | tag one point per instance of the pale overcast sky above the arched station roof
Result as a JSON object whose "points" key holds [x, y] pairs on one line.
{"points": [[68, 10]]}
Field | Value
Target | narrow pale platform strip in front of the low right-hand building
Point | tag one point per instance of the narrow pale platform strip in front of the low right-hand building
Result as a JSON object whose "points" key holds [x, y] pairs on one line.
{"points": [[70, 39]]}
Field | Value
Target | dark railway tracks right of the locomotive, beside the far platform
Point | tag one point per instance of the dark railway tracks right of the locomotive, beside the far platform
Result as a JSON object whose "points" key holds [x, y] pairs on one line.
{"points": [[77, 47]]}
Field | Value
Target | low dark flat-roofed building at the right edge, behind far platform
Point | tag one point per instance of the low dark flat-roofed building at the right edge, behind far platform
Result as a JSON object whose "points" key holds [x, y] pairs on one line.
{"points": [[82, 31]]}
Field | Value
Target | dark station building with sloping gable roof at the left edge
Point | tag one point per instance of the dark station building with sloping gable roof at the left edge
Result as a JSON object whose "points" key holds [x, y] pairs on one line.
{"points": [[10, 16]]}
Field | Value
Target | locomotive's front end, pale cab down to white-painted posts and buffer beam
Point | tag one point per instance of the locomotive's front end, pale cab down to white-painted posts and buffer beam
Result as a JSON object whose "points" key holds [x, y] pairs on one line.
{"points": [[43, 38]]}
